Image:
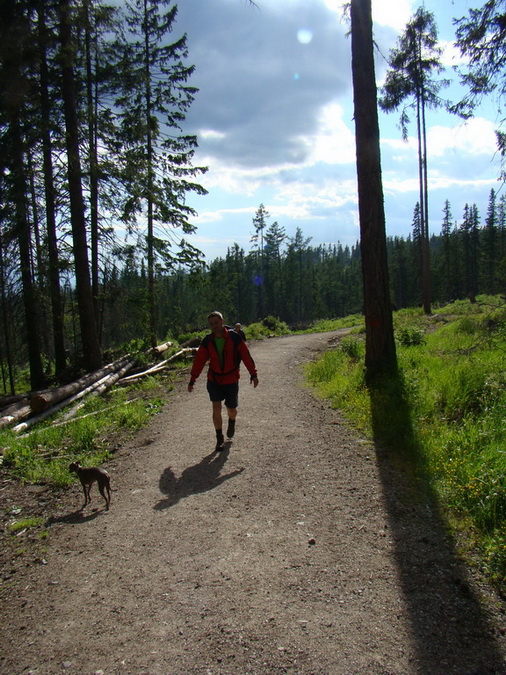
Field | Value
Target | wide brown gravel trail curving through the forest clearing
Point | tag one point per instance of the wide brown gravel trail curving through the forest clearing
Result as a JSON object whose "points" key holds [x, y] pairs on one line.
{"points": [[296, 550]]}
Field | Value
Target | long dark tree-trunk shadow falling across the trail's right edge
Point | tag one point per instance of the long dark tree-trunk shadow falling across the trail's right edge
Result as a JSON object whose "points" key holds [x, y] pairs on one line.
{"points": [[451, 632]]}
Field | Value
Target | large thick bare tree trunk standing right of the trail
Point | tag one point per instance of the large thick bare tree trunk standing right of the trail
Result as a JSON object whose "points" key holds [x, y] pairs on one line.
{"points": [[380, 344]]}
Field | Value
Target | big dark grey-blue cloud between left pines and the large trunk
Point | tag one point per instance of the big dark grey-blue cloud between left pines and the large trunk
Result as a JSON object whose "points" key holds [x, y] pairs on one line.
{"points": [[264, 75]]}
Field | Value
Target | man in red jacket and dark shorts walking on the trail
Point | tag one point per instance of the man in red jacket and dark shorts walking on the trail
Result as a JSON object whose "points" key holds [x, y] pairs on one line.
{"points": [[224, 349]]}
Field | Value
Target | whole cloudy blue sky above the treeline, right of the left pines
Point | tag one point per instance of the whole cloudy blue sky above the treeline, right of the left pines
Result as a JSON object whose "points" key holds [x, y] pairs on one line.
{"points": [[274, 118]]}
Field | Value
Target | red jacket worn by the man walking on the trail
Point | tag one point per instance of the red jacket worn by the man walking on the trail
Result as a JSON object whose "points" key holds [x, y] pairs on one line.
{"points": [[229, 372]]}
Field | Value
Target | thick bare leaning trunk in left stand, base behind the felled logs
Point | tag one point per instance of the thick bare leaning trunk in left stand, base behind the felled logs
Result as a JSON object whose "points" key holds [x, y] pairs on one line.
{"points": [[89, 334]]}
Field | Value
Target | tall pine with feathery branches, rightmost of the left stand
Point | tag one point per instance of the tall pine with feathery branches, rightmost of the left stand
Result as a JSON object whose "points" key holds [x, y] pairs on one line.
{"points": [[156, 156]]}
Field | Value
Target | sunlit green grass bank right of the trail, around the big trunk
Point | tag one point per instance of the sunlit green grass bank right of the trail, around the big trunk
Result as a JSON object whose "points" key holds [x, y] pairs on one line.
{"points": [[453, 380]]}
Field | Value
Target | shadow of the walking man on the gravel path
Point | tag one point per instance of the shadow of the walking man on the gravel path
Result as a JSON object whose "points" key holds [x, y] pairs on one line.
{"points": [[201, 477]]}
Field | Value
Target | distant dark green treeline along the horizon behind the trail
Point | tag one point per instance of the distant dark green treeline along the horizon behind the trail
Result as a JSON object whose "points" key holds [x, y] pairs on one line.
{"points": [[287, 278]]}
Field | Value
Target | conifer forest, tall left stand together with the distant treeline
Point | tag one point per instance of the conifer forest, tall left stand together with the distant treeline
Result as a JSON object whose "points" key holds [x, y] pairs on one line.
{"points": [[92, 119]]}
